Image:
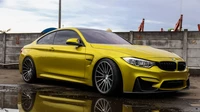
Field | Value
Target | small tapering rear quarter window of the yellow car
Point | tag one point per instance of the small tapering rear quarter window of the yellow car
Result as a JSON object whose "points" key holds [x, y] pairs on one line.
{"points": [[48, 39]]}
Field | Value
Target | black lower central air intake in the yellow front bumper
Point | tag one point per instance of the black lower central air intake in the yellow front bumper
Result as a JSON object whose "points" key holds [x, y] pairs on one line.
{"points": [[172, 84]]}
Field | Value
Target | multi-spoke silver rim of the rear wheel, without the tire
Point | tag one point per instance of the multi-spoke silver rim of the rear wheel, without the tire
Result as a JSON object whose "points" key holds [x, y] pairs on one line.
{"points": [[27, 70]]}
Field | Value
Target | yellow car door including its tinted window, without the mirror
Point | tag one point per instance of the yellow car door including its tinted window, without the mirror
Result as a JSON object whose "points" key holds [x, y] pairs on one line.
{"points": [[69, 60]]}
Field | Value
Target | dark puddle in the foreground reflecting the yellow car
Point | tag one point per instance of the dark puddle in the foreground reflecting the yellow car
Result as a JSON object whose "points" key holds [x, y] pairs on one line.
{"points": [[60, 99]]}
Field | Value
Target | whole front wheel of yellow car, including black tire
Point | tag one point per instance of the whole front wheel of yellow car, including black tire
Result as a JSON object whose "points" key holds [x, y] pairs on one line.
{"points": [[107, 77]]}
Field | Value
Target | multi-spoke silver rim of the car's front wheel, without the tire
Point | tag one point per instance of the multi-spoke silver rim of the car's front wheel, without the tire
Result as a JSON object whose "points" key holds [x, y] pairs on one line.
{"points": [[104, 77]]}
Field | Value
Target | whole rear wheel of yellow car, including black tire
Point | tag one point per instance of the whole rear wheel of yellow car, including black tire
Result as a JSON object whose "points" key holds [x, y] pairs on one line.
{"points": [[28, 70]]}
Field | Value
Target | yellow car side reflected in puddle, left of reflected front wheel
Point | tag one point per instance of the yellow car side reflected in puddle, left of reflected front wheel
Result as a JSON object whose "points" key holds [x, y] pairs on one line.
{"points": [[44, 103]]}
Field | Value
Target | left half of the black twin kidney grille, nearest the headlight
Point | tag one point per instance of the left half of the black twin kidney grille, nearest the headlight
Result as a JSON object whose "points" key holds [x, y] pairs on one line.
{"points": [[168, 66]]}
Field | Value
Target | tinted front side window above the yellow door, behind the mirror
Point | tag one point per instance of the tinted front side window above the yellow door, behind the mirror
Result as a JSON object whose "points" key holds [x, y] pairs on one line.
{"points": [[63, 35]]}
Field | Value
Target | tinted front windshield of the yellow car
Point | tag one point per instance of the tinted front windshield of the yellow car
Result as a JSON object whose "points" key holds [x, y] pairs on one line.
{"points": [[102, 37]]}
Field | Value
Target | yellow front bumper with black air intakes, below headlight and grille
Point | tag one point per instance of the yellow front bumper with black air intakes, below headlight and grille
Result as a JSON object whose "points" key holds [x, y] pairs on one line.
{"points": [[138, 79]]}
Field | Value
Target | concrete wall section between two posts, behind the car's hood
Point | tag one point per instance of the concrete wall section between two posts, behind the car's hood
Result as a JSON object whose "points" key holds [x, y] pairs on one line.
{"points": [[170, 41]]}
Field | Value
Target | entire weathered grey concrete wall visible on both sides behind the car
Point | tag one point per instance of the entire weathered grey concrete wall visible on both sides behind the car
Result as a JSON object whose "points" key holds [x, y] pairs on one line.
{"points": [[185, 44]]}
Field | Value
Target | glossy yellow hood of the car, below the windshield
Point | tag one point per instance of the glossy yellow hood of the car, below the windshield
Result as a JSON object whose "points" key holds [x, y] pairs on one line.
{"points": [[137, 50]]}
